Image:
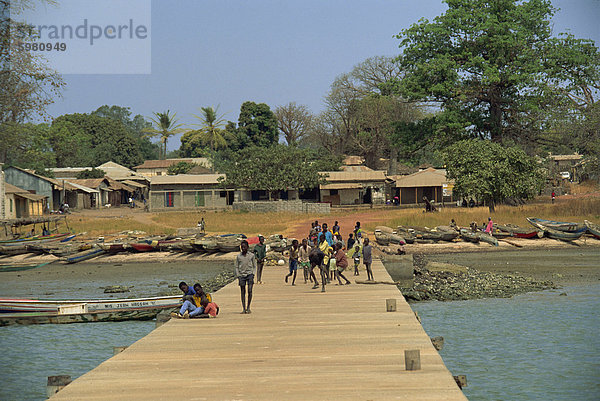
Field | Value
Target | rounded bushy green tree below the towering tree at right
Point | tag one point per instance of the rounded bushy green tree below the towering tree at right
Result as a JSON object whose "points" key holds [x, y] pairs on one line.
{"points": [[492, 172]]}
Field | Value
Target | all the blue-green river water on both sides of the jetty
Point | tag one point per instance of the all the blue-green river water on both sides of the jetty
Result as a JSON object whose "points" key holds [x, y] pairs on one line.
{"points": [[536, 346]]}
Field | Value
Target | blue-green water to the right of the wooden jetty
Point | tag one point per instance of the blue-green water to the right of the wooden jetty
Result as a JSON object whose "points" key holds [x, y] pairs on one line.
{"points": [[536, 346]]}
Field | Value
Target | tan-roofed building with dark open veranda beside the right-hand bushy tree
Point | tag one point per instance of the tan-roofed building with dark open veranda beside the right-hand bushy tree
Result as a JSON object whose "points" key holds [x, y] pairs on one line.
{"points": [[430, 183]]}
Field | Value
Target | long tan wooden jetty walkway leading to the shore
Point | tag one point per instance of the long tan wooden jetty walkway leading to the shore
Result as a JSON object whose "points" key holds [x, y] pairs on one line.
{"points": [[298, 344]]}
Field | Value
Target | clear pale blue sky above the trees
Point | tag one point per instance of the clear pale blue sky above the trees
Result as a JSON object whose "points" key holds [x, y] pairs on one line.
{"points": [[209, 53]]}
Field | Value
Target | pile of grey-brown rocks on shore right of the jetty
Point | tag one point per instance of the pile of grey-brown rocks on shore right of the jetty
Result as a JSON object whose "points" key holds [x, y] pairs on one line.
{"points": [[463, 283]]}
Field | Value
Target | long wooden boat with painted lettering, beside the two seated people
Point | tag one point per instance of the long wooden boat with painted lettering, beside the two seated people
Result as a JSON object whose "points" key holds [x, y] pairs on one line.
{"points": [[25, 311]]}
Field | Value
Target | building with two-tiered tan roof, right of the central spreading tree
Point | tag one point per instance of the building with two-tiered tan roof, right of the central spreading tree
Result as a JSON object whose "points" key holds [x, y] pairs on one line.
{"points": [[354, 185]]}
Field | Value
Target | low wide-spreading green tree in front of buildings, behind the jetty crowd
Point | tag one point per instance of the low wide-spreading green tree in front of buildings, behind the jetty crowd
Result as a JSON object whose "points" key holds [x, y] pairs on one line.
{"points": [[277, 168]]}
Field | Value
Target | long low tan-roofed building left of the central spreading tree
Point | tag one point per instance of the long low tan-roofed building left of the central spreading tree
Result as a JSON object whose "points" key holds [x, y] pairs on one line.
{"points": [[189, 191]]}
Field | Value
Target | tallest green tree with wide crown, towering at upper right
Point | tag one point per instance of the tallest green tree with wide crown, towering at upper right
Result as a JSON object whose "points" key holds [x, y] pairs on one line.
{"points": [[488, 63]]}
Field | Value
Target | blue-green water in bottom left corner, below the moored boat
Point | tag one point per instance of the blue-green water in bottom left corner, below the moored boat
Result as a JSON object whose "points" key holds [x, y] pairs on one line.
{"points": [[29, 354]]}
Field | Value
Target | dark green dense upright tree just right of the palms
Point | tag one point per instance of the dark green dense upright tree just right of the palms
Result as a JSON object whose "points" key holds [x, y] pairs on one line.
{"points": [[258, 124]]}
